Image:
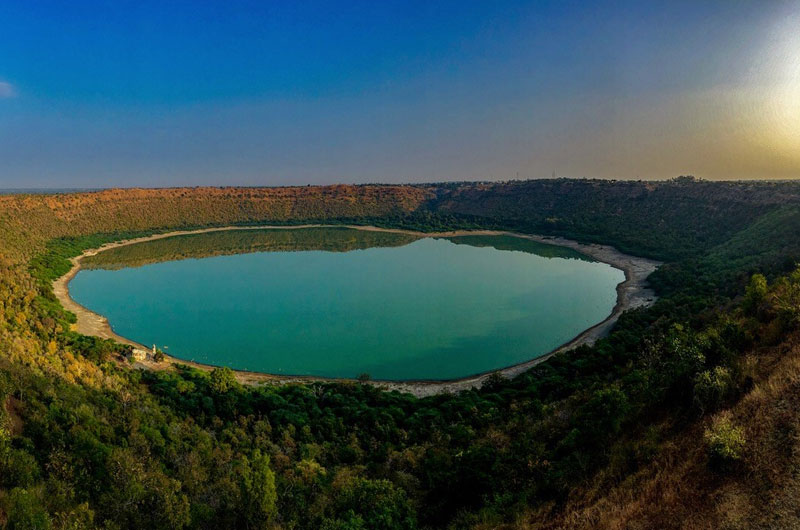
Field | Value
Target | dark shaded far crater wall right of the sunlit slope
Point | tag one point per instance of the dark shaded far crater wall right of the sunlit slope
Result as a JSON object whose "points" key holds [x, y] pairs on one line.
{"points": [[667, 220]]}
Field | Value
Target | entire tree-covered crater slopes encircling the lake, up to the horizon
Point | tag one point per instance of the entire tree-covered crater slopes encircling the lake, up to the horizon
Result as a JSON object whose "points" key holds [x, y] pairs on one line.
{"points": [[686, 415]]}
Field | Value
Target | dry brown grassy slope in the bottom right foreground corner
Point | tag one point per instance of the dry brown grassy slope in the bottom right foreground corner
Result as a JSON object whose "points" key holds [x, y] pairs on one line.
{"points": [[678, 489]]}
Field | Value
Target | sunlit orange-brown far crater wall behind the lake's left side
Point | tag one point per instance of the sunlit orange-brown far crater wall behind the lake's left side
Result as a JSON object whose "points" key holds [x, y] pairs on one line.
{"points": [[30, 220]]}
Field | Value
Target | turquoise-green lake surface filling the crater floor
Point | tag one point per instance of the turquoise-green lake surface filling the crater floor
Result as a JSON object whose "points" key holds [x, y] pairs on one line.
{"points": [[339, 302]]}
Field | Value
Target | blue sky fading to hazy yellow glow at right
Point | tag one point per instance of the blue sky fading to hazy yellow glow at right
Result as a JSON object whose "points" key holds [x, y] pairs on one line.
{"points": [[173, 93]]}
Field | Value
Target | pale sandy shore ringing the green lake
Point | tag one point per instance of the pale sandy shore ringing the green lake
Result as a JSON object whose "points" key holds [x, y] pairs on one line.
{"points": [[631, 293]]}
